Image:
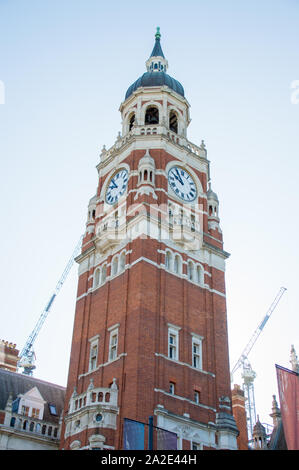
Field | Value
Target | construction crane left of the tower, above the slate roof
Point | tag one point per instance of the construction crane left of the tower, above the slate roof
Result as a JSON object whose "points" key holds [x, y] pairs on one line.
{"points": [[27, 355]]}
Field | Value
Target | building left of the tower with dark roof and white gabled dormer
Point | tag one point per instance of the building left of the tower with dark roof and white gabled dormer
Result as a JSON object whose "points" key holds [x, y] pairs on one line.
{"points": [[30, 409]]}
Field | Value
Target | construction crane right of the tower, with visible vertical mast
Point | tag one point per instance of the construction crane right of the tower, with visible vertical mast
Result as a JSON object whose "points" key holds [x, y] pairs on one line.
{"points": [[248, 375]]}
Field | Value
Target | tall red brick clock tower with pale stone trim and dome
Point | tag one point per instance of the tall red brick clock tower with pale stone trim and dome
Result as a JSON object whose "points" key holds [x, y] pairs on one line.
{"points": [[150, 329]]}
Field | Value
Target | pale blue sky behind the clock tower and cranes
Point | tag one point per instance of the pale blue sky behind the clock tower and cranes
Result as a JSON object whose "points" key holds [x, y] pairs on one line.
{"points": [[66, 66]]}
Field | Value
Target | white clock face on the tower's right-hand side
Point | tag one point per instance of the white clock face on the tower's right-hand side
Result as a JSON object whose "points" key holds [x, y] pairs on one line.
{"points": [[182, 184]]}
